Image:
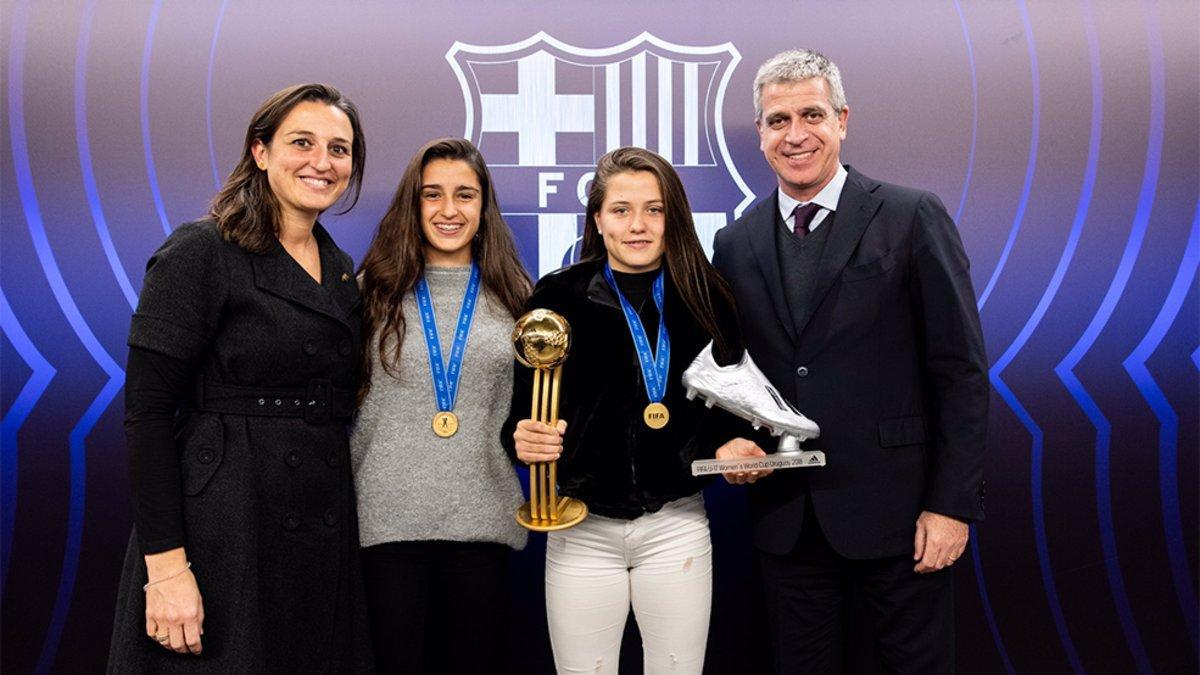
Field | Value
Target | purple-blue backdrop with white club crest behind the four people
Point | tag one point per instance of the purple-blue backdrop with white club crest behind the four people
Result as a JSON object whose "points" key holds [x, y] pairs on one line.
{"points": [[1061, 135]]}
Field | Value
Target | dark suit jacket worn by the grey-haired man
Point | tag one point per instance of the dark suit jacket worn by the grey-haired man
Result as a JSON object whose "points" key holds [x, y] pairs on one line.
{"points": [[890, 362]]}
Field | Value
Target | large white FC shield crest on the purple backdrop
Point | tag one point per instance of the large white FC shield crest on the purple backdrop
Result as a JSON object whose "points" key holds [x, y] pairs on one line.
{"points": [[543, 112]]}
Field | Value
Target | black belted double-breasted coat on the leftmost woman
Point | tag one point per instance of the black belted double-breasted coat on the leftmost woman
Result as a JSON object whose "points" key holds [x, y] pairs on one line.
{"points": [[269, 511]]}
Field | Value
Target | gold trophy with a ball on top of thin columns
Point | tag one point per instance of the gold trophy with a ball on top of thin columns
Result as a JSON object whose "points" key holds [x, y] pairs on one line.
{"points": [[542, 341]]}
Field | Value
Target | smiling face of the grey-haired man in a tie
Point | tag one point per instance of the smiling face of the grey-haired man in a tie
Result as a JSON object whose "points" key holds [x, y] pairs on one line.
{"points": [[801, 135]]}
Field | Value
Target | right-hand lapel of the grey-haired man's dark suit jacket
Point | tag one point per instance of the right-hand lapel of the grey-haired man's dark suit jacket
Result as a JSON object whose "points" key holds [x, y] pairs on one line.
{"points": [[856, 207]]}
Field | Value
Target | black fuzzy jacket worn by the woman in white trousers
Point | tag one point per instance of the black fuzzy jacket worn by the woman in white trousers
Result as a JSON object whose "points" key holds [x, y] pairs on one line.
{"points": [[611, 459]]}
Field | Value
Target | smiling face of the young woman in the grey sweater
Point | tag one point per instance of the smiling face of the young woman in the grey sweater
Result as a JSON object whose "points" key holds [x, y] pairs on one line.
{"points": [[452, 204]]}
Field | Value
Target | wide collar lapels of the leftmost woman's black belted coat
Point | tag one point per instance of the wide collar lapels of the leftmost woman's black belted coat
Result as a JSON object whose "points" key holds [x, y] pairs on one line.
{"points": [[278, 274]]}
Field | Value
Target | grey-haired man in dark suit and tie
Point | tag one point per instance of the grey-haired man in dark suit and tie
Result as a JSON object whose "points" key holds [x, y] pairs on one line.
{"points": [[856, 302]]}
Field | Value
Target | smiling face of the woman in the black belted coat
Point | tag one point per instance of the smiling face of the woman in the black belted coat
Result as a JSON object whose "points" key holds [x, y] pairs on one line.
{"points": [[309, 160]]}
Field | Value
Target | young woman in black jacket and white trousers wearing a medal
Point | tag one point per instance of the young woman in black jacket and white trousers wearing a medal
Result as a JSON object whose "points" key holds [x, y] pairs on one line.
{"points": [[628, 434]]}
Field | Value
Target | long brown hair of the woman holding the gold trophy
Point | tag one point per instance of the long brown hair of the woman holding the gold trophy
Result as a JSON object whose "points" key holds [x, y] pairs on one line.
{"points": [[693, 276]]}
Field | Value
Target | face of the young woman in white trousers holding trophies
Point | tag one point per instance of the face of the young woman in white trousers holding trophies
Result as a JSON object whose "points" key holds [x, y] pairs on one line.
{"points": [[632, 220]]}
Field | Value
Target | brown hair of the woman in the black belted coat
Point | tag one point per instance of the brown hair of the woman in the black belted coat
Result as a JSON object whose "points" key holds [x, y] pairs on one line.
{"points": [[247, 211]]}
